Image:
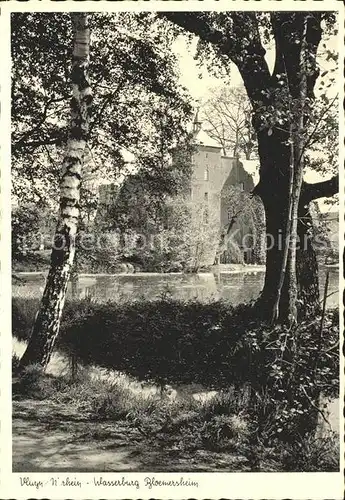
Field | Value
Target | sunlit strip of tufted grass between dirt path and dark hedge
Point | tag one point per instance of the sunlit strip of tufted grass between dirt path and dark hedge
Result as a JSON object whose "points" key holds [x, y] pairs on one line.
{"points": [[181, 426]]}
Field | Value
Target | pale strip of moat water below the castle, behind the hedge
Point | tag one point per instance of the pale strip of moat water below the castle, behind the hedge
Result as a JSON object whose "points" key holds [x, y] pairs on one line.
{"points": [[233, 287]]}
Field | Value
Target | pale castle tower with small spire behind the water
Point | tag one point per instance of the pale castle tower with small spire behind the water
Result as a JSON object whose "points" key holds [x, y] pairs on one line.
{"points": [[211, 190]]}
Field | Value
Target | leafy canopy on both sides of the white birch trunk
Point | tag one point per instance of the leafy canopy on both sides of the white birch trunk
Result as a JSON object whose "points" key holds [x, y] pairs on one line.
{"points": [[138, 103]]}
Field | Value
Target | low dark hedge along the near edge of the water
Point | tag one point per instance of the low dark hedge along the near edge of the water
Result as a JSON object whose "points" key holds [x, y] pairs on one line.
{"points": [[177, 342]]}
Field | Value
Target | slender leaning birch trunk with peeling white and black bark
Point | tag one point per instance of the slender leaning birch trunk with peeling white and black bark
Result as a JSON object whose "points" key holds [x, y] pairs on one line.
{"points": [[47, 322]]}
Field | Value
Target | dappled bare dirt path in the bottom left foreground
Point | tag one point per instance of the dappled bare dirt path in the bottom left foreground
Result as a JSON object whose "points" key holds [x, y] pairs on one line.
{"points": [[49, 438]]}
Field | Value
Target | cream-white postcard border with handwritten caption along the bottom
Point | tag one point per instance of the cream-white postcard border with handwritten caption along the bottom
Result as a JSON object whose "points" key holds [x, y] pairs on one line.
{"points": [[210, 485]]}
